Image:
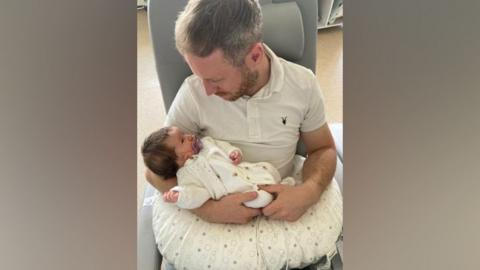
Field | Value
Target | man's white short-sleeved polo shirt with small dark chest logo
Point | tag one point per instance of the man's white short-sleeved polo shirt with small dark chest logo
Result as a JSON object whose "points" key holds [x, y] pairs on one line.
{"points": [[266, 126]]}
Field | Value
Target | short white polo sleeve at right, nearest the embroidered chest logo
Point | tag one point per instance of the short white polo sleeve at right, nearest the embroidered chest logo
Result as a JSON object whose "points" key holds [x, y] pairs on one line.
{"points": [[315, 112]]}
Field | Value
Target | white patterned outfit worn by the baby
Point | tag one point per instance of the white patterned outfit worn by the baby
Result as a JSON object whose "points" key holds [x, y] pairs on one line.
{"points": [[211, 174]]}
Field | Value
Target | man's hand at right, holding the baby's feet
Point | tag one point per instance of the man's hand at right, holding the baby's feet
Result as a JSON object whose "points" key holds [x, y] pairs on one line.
{"points": [[291, 201]]}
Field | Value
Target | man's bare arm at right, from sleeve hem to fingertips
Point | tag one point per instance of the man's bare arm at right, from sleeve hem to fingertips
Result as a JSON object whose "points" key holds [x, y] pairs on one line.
{"points": [[318, 170]]}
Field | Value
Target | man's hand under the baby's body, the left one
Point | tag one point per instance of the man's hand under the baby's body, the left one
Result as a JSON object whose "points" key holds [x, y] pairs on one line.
{"points": [[229, 209]]}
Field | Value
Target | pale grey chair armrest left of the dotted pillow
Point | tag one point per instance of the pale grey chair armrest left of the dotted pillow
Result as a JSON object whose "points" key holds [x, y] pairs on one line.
{"points": [[148, 257]]}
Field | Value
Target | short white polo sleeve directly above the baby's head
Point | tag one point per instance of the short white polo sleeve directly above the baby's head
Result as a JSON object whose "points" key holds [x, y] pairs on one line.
{"points": [[184, 110]]}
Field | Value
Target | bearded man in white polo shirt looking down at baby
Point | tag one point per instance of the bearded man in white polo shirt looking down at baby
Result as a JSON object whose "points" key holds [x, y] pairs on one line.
{"points": [[241, 92]]}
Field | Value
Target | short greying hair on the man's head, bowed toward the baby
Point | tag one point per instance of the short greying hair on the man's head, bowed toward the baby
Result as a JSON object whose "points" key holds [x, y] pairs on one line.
{"points": [[232, 26]]}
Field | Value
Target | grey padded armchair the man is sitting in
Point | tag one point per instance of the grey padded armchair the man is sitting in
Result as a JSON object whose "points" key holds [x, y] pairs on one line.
{"points": [[290, 29]]}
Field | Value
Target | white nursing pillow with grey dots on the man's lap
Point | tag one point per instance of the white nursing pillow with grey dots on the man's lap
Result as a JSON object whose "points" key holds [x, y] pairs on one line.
{"points": [[262, 244]]}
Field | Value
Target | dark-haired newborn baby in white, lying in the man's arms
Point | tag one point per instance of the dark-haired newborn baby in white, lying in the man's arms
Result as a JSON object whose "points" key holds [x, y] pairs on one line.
{"points": [[205, 168]]}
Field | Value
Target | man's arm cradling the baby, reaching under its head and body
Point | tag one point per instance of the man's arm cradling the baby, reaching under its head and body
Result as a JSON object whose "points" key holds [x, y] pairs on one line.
{"points": [[229, 209]]}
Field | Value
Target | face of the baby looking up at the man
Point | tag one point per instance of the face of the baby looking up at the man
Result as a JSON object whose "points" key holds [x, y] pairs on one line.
{"points": [[185, 145]]}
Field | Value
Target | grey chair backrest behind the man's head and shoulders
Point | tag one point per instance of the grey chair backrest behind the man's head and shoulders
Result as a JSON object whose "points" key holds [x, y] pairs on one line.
{"points": [[289, 29]]}
